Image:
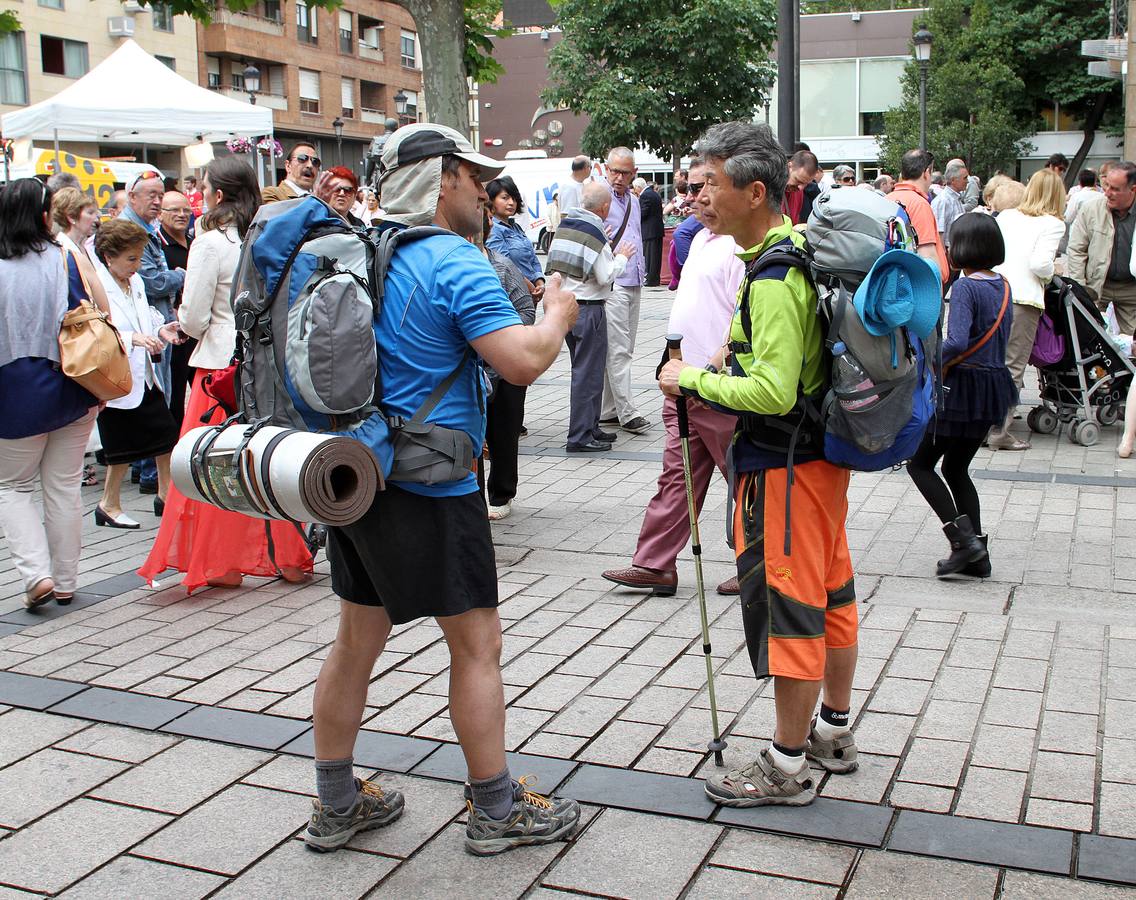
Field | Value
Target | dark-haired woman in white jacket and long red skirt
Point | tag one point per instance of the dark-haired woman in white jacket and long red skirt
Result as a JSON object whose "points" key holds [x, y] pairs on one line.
{"points": [[213, 546]]}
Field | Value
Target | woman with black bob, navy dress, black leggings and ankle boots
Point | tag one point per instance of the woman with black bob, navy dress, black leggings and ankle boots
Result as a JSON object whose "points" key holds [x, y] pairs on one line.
{"points": [[978, 391]]}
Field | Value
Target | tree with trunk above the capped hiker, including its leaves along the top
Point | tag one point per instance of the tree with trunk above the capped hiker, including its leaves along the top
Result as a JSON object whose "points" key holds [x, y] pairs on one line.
{"points": [[456, 38]]}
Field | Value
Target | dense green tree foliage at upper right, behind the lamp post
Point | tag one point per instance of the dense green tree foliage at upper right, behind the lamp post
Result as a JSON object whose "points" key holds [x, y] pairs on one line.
{"points": [[995, 65]]}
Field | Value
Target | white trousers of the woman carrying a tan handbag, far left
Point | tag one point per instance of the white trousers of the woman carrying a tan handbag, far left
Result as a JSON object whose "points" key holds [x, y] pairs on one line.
{"points": [[46, 545]]}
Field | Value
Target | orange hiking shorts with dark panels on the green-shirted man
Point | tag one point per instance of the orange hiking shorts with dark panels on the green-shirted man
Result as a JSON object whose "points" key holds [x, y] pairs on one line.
{"points": [[795, 606]]}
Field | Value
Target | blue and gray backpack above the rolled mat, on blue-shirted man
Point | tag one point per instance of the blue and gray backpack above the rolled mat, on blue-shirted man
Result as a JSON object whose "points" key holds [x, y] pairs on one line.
{"points": [[307, 293]]}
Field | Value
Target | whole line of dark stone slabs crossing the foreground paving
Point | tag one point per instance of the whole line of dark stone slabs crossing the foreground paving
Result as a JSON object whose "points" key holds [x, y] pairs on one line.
{"points": [[992, 844]]}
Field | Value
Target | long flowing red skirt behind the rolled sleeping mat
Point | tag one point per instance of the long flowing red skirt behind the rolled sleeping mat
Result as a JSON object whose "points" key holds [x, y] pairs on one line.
{"points": [[206, 543]]}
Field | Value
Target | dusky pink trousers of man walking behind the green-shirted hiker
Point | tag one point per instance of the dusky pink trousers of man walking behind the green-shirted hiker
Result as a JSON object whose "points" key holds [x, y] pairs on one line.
{"points": [[666, 524]]}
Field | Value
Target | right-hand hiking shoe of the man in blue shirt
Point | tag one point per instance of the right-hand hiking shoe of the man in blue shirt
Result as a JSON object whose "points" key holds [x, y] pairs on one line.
{"points": [[534, 820]]}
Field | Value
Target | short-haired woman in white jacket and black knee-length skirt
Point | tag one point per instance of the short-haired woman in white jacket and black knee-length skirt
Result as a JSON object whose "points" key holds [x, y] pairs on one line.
{"points": [[138, 426]]}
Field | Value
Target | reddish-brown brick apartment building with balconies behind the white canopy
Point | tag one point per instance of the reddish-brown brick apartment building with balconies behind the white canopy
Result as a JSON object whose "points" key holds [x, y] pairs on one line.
{"points": [[319, 65]]}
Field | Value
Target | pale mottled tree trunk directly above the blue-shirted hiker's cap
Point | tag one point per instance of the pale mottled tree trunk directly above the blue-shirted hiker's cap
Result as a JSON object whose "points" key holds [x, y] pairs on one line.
{"points": [[442, 34]]}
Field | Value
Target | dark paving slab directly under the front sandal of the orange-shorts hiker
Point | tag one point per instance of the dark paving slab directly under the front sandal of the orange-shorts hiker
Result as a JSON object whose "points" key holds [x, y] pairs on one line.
{"points": [[843, 821]]}
